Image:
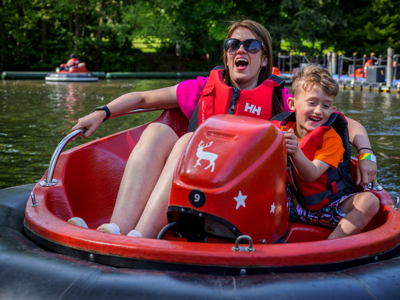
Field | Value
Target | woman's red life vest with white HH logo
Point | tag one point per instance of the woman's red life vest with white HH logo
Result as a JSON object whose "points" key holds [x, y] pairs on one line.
{"points": [[218, 98]]}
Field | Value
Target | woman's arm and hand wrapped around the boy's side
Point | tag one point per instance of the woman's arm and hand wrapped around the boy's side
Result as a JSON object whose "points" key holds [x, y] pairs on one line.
{"points": [[366, 169]]}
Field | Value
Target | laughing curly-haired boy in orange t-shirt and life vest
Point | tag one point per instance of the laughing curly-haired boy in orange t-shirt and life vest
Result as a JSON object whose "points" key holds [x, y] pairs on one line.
{"points": [[314, 92]]}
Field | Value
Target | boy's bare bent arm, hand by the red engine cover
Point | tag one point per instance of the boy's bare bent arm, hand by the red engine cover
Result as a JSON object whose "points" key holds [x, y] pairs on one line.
{"points": [[308, 170]]}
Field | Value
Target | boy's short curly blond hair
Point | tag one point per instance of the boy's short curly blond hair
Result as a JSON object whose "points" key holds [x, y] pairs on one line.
{"points": [[313, 75]]}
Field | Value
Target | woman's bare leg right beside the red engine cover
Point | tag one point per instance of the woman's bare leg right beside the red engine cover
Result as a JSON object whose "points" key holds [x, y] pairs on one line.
{"points": [[154, 216]]}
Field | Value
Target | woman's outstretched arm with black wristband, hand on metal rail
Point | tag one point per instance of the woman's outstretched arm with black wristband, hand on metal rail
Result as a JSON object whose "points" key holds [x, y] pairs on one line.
{"points": [[162, 98]]}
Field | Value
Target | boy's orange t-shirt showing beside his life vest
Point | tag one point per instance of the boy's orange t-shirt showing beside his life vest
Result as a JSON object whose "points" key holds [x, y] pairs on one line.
{"points": [[332, 149]]}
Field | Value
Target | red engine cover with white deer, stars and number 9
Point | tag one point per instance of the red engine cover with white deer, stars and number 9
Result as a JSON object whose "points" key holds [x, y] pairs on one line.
{"points": [[230, 159]]}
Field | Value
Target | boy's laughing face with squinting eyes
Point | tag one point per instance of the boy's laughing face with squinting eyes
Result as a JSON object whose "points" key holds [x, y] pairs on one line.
{"points": [[312, 110]]}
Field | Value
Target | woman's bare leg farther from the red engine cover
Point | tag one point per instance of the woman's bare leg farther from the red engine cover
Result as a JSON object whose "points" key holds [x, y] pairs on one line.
{"points": [[141, 174]]}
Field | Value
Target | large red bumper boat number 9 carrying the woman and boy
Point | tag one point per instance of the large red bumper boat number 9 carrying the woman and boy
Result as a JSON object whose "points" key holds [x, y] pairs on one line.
{"points": [[238, 207]]}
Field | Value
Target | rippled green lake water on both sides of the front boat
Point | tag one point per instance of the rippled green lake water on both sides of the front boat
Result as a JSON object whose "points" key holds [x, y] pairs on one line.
{"points": [[35, 116]]}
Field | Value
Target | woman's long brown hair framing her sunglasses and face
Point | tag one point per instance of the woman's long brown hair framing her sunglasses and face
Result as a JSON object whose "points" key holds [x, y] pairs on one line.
{"points": [[262, 34]]}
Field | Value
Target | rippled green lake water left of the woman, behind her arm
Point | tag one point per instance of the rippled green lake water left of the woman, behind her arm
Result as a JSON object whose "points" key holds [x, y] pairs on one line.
{"points": [[35, 116]]}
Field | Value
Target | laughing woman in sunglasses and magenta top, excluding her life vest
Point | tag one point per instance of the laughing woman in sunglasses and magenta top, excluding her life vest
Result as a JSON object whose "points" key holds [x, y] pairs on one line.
{"points": [[142, 200]]}
